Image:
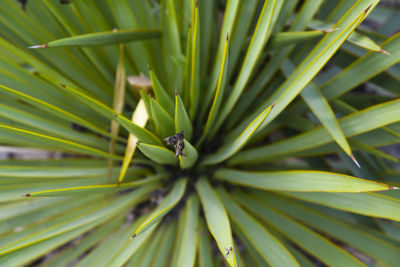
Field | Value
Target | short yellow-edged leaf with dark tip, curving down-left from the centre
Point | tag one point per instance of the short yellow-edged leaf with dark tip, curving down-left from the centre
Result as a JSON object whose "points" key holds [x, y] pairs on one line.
{"points": [[164, 207]]}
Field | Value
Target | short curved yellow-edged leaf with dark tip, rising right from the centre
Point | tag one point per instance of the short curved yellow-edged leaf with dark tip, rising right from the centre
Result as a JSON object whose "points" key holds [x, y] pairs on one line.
{"points": [[231, 148]]}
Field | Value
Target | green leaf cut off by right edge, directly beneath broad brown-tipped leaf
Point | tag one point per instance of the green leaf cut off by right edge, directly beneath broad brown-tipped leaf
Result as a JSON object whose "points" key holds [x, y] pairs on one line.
{"points": [[370, 204]]}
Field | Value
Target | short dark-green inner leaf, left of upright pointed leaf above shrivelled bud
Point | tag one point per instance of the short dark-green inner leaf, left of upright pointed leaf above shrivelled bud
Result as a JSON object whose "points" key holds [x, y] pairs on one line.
{"points": [[163, 121]]}
